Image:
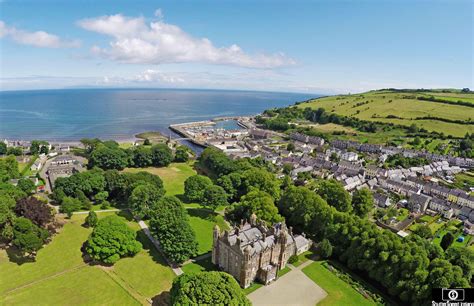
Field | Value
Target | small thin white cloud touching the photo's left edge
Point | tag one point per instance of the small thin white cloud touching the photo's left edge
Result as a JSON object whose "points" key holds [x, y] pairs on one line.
{"points": [[40, 39]]}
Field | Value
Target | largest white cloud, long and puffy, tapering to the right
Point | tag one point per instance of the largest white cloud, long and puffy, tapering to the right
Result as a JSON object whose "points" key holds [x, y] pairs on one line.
{"points": [[135, 41]]}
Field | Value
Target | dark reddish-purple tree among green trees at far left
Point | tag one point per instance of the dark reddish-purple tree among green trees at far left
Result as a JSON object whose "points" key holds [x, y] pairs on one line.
{"points": [[35, 210]]}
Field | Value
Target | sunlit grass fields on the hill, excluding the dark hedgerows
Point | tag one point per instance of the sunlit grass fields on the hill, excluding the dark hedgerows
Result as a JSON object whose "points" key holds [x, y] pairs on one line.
{"points": [[381, 104]]}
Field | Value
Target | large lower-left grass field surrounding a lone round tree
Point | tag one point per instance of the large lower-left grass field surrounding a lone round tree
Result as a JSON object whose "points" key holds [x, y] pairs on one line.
{"points": [[59, 275]]}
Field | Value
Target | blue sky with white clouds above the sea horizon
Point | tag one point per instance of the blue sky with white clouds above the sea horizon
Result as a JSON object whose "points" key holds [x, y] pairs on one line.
{"points": [[290, 46]]}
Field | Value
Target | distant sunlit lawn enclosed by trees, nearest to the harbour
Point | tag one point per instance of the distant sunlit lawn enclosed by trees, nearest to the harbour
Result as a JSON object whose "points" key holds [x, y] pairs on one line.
{"points": [[173, 176]]}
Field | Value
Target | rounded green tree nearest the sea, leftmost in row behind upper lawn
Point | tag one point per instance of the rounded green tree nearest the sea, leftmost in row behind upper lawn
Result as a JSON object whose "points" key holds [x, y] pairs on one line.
{"points": [[108, 158]]}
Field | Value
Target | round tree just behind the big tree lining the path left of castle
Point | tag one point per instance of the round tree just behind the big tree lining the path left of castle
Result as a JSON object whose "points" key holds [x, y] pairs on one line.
{"points": [[143, 199]]}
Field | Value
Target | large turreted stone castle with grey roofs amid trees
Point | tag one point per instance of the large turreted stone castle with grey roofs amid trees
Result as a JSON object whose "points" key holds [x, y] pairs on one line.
{"points": [[252, 251]]}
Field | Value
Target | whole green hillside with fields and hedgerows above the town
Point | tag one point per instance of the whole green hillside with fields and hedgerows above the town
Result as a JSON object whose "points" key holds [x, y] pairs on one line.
{"points": [[450, 112]]}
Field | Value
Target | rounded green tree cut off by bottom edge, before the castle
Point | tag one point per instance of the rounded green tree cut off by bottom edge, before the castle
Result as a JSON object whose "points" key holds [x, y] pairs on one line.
{"points": [[207, 288]]}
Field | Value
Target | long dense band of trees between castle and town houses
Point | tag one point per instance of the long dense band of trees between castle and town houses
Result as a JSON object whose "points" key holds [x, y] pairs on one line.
{"points": [[407, 267]]}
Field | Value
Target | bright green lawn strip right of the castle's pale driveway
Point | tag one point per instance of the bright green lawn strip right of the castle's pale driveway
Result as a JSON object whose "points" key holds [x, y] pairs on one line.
{"points": [[339, 292]]}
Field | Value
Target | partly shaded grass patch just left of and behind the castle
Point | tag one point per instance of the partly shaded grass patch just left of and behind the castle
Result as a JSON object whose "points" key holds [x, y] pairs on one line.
{"points": [[202, 221]]}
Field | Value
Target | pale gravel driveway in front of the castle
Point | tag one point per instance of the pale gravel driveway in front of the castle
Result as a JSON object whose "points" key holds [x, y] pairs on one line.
{"points": [[293, 288]]}
